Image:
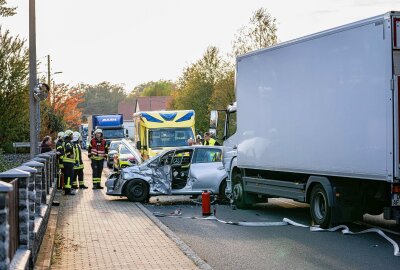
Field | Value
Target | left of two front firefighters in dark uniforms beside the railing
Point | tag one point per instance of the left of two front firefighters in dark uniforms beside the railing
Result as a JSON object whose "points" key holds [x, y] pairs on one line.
{"points": [[68, 161]]}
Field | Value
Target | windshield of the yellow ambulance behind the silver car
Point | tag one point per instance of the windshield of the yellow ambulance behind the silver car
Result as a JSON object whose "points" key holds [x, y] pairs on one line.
{"points": [[169, 137]]}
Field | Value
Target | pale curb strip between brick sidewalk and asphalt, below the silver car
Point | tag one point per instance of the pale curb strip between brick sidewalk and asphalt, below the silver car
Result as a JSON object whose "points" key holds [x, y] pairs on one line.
{"points": [[181, 245]]}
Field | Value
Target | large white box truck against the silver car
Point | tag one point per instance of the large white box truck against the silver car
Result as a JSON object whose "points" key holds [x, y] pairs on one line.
{"points": [[317, 121]]}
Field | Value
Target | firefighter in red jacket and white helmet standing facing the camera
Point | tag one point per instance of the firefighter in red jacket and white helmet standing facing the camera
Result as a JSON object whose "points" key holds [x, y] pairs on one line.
{"points": [[97, 152]]}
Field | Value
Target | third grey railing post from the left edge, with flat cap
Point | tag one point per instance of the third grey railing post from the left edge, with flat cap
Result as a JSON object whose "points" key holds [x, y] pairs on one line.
{"points": [[31, 201]]}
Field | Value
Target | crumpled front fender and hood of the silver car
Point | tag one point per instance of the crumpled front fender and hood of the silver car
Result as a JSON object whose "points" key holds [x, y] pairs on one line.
{"points": [[159, 179]]}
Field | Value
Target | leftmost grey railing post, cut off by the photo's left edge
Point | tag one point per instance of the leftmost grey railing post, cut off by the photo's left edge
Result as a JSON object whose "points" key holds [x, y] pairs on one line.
{"points": [[4, 227]]}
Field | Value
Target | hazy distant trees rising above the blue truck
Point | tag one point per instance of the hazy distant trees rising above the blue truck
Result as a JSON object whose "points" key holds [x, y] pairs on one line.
{"points": [[102, 98]]}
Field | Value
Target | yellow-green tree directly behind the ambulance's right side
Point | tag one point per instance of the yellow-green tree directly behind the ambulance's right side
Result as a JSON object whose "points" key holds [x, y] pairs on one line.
{"points": [[196, 86]]}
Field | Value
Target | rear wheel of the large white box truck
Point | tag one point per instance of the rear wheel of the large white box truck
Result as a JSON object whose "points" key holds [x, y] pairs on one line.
{"points": [[319, 207]]}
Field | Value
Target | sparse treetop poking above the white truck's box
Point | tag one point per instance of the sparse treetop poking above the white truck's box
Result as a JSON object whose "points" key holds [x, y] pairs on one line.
{"points": [[260, 33]]}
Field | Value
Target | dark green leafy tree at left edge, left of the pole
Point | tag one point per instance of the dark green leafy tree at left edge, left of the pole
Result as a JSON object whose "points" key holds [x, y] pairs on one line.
{"points": [[14, 91]]}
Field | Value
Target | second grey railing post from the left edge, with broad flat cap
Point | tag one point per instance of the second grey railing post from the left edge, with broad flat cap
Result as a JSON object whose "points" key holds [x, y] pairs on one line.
{"points": [[23, 205]]}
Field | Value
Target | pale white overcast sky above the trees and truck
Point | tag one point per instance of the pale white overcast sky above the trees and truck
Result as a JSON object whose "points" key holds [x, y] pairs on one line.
{"points": [[129, 42]]}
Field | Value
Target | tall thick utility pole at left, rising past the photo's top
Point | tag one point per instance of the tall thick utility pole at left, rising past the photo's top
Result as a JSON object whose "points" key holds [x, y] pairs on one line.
{"points": [[33, 103]]}
